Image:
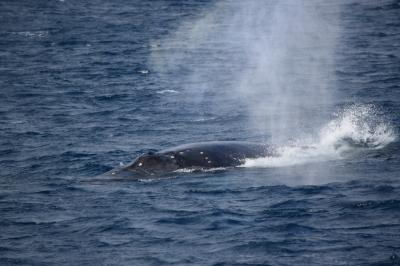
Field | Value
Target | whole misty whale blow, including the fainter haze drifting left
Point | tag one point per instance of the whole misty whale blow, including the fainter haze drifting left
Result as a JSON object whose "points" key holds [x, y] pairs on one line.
{"points": [[272, 61]]}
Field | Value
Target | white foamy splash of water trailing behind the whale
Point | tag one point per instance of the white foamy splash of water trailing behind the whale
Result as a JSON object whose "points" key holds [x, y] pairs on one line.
{"points": [[357, 127]]}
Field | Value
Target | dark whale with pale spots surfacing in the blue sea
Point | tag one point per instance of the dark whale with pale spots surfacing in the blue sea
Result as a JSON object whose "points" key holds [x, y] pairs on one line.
{"points": [[193, 156]]}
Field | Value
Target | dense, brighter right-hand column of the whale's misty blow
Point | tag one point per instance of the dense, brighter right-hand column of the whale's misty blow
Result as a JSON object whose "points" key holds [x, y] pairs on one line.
{"points": [[290, 87]]}
